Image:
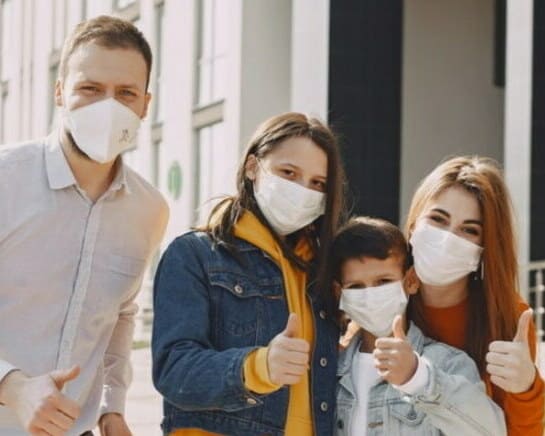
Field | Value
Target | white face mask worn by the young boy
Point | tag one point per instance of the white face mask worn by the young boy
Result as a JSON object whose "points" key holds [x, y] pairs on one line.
{"points": [[375, 308]]}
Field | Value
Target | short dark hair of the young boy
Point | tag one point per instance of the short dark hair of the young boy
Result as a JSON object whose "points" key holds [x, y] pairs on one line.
{"points": [[367, 237]]}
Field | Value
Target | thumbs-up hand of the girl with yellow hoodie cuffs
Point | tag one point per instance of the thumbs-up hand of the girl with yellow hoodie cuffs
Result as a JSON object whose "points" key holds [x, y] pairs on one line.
{"points": [[287, 358]]}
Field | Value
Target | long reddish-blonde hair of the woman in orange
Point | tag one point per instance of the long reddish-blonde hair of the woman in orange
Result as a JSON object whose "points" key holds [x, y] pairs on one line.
{"points": [[493, 299]]}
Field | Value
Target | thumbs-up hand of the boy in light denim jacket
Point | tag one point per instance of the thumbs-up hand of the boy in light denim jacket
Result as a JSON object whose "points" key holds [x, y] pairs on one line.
{"points": [[394, 356]]}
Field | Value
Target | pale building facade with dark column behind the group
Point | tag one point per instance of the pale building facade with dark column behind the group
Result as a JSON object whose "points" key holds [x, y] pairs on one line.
{"points": [[404, 83]]}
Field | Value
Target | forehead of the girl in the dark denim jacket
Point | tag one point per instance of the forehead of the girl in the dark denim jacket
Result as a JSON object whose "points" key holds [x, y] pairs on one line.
{"points": [[302, 152]]}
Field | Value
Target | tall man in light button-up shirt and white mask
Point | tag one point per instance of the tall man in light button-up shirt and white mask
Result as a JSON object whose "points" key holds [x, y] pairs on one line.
{"points": [[77, 228]]}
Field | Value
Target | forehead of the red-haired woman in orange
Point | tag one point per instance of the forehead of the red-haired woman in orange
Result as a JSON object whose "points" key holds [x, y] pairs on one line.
{"points": [[458, 202]]}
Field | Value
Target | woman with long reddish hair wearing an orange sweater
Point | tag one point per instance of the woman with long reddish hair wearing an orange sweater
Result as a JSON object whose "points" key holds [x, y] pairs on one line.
{"points": [[462, 238]]}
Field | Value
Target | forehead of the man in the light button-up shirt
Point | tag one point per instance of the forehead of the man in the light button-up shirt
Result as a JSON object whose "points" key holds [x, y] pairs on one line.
{"points": [[91, 61]]}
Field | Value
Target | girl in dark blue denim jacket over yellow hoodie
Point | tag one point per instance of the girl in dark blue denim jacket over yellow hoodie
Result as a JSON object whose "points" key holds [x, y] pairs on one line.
{"points": [[241, 344]]}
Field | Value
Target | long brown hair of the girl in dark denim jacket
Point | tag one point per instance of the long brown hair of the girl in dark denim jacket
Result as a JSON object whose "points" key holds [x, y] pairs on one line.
{"points": [[266, 138]]}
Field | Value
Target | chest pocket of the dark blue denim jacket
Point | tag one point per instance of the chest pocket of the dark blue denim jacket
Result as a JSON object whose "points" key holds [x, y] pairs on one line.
{"points": [[241, 307]]}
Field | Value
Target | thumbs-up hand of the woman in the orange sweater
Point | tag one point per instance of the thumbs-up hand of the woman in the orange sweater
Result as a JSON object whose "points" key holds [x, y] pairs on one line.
{"points": [[509, 363]]}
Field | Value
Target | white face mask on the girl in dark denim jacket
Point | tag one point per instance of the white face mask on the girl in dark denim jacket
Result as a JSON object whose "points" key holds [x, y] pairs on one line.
{"points": [[286, 205]]}
